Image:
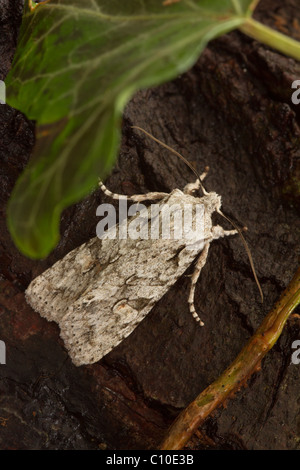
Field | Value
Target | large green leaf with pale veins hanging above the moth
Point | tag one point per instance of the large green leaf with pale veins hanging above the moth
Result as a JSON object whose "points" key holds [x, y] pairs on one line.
{"points": [[77, 64]]}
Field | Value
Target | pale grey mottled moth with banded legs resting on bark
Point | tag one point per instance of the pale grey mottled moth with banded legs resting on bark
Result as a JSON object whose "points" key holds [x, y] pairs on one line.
{"points": [[99, 292]]}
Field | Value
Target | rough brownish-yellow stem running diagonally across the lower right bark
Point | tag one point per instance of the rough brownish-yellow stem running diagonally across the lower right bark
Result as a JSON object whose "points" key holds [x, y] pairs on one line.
{"points": [[237, 374]]}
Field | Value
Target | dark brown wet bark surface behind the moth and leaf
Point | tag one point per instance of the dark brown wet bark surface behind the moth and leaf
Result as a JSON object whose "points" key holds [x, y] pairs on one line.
{"points": [[233, 112]]}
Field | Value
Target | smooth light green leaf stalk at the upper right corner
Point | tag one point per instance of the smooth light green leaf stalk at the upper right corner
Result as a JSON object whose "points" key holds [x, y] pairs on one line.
{"points": [[269, 36]]}
